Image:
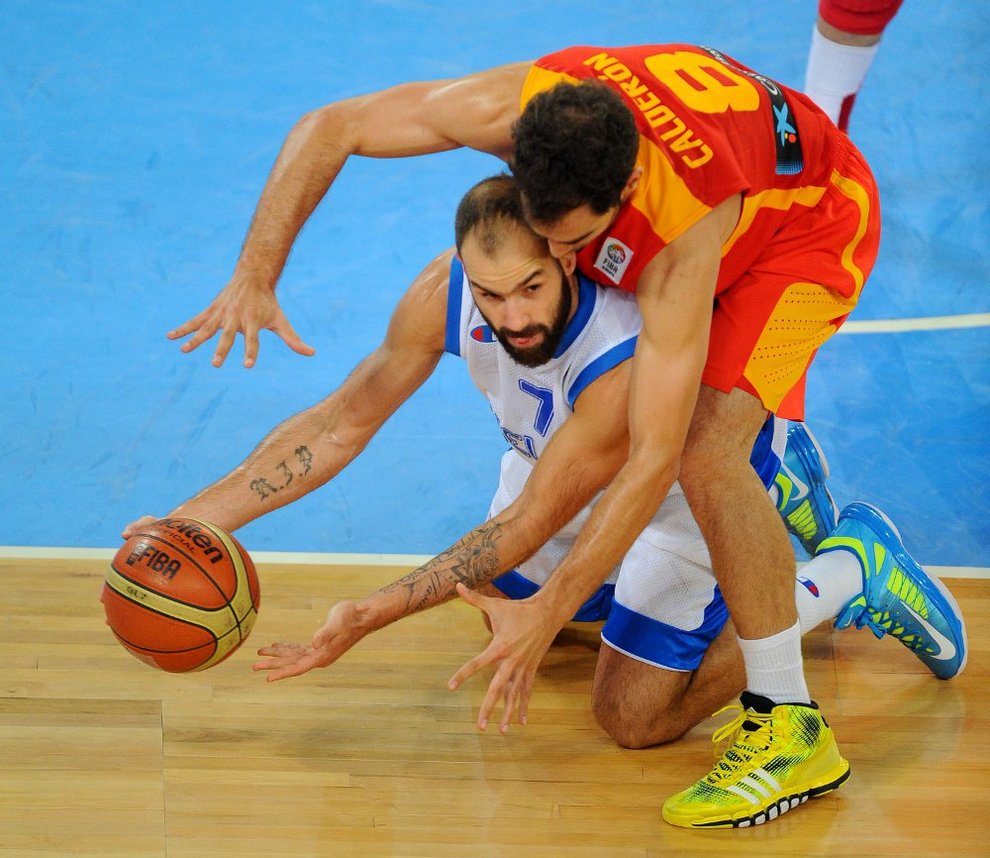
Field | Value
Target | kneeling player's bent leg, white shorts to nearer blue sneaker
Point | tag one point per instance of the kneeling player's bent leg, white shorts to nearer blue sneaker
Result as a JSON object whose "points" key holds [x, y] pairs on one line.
{"points": [[640, 701]]}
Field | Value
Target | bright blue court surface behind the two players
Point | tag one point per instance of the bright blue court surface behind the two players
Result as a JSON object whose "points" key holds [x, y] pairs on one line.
{"points": [[135, 139]]}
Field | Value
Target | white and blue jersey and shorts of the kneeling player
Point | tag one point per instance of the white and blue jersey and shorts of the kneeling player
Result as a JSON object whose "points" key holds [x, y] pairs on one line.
{"points": [[661, 602]]}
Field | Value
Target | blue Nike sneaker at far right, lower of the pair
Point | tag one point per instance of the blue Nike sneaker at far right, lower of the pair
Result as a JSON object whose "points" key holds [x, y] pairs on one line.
{"points": [[899, 598]]}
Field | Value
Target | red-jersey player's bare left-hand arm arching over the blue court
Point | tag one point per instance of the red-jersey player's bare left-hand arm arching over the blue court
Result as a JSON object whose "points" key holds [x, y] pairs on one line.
{"points": [[476, 111]]}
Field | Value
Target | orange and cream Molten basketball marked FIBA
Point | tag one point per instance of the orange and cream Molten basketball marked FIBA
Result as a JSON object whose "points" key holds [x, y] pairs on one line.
{"points": [[181, 594]]}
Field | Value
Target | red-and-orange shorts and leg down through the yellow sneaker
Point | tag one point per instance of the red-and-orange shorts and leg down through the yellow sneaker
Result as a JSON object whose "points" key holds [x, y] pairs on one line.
{"points": [[765, 332]]}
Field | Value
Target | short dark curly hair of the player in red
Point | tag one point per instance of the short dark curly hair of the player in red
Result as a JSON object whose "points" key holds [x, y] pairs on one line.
{"points": [[575, 144]]}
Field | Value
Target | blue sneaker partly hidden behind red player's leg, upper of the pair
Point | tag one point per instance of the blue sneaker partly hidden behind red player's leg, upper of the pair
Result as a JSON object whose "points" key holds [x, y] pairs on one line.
{"points": [[803, 498]]}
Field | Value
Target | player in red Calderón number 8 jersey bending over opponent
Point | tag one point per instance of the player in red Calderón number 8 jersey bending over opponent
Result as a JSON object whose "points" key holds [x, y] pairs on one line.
{"points": [[746, 224]]}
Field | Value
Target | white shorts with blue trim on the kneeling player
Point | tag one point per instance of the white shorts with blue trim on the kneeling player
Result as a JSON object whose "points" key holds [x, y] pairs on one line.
{"points": [[661, 605]]}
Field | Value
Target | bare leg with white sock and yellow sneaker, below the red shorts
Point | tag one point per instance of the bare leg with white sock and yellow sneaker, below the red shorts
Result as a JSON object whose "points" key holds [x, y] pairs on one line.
{"points": [[782, 751]]}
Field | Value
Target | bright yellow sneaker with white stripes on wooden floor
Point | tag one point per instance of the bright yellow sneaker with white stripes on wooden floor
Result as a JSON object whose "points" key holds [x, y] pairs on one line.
{"points": [[778, 757]]}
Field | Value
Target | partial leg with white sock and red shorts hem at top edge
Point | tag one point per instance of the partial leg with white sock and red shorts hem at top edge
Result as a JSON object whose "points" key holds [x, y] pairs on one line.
{"points": [[844, 44]]}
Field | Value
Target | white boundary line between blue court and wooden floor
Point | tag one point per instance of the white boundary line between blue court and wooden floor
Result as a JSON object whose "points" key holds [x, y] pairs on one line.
{"points": [[303, 558]]}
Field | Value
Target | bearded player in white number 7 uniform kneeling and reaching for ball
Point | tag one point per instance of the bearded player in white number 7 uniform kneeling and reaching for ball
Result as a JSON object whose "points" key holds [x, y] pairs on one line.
{"points": [[550, 351]]}
